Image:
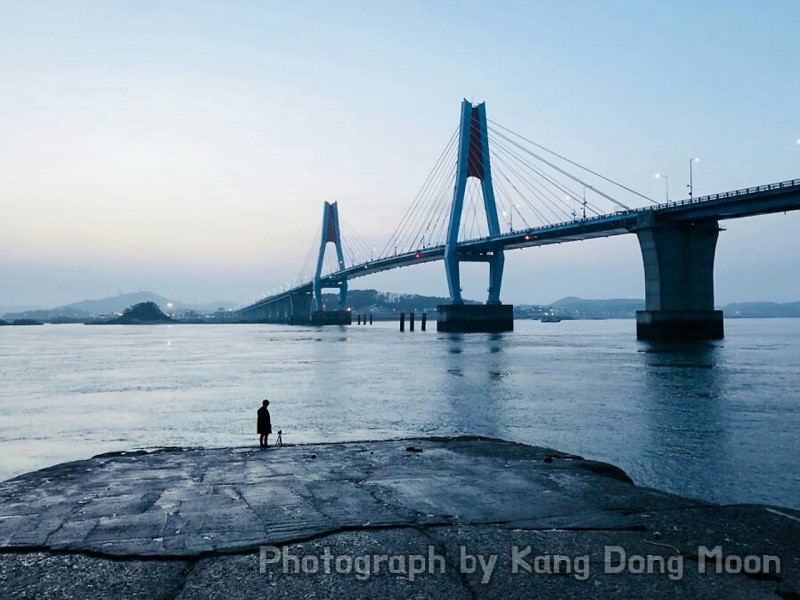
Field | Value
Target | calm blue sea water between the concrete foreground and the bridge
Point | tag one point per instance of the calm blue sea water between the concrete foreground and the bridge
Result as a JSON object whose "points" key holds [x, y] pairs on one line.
{"points": [[717, 421]]}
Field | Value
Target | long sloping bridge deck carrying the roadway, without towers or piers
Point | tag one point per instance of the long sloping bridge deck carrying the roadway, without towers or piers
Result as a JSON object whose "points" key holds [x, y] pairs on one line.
{"points": [[765, 199]]}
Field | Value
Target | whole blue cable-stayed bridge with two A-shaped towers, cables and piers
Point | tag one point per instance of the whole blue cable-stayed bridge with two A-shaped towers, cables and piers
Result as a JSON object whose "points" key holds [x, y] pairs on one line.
{"points": [[493, 190]]}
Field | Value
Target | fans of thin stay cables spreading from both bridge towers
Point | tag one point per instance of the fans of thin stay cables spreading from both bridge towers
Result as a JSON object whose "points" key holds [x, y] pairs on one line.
{"points": [[533, 187]]}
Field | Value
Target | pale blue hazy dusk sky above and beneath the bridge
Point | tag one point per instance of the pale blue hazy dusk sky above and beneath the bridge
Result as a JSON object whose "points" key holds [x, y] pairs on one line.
{"points": [[186, 148]]}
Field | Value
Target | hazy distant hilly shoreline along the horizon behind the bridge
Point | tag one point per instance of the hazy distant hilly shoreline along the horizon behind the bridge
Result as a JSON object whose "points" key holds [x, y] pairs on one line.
{"points": [[381, 305]]}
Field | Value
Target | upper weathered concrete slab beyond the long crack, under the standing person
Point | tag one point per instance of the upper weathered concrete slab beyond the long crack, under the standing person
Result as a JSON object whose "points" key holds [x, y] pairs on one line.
{"points": [[190, 502]]}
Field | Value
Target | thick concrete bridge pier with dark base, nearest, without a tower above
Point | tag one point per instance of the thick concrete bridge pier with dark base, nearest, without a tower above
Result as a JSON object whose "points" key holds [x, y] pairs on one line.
{"points": [[679, 280]]}
